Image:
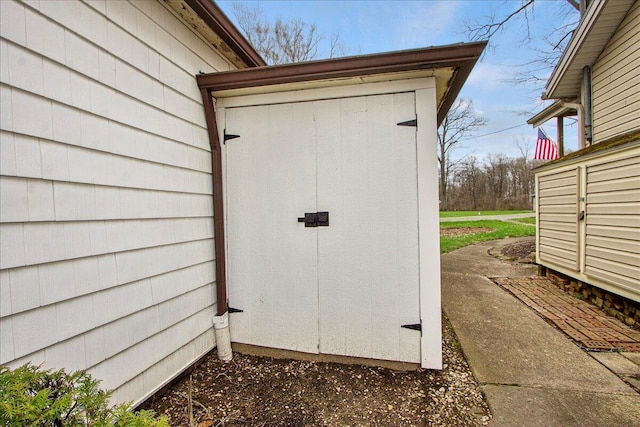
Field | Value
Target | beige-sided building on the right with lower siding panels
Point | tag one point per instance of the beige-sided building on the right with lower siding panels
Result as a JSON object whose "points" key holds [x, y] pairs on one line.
{"points": [[588, 203]]}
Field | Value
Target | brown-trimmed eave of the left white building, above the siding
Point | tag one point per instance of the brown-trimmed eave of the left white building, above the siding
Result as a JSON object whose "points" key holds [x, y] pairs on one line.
{"points": [[212, 24]]}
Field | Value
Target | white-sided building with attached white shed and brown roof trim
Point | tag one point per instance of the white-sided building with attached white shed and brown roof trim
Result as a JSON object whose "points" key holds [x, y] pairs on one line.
{"points": [[112, 224]]}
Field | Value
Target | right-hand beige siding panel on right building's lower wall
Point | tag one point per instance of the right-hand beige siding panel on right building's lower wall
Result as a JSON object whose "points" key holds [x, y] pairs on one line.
{"points": [[613, 222]]}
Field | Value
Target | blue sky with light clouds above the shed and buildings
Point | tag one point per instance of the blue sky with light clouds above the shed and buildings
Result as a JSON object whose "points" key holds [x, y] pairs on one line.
{"points": [[366, 27]]}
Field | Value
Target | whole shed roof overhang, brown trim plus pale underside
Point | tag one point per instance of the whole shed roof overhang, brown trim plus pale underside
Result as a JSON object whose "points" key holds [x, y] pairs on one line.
{"points": [[450, 65]]}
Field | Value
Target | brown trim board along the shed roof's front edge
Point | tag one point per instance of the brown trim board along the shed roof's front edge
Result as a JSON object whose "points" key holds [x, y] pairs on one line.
{"points": [[461, 56]]}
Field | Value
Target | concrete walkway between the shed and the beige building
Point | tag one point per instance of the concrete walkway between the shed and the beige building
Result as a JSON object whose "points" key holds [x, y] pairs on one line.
{"points": [[531, 374]]}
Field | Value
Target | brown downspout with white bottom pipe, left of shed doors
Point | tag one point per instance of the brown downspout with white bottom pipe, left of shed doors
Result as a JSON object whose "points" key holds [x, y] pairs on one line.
{"points": [[221, 318]]}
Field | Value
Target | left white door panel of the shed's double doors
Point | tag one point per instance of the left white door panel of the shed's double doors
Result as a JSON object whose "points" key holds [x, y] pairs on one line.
{"points": [[272, 259]]}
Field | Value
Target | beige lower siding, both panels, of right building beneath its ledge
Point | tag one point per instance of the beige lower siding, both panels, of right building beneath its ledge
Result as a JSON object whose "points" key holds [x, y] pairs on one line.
{"points": [[607, 242]]}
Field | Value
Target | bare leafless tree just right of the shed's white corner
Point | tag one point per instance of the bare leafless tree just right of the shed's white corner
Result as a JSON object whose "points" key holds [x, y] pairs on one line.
{"points": [[461, 120]]}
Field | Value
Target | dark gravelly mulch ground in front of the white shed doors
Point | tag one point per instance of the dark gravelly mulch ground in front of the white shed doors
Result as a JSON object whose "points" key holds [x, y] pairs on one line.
{"points": [[260, 391]]}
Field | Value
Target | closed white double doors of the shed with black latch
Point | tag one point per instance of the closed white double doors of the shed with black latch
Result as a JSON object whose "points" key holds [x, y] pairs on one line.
{"points": [[345, 289]]}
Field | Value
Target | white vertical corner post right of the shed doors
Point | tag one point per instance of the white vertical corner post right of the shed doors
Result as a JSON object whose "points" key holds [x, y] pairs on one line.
{"points": [[429, 226]]}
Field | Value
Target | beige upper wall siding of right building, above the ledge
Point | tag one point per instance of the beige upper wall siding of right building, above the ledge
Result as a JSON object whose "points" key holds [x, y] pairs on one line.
{"points": [[616, 81]]}
